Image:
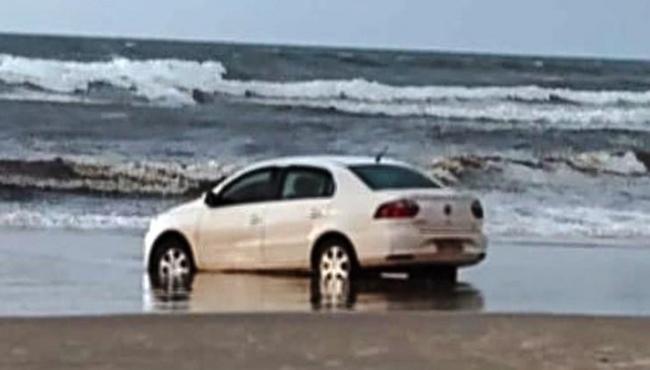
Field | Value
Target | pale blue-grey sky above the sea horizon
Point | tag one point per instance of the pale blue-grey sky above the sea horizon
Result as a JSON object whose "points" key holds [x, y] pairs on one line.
{"points": [[566, 27]]}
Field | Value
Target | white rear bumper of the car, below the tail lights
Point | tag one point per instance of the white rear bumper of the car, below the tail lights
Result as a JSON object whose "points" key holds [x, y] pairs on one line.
{"points": [[405, 246]]}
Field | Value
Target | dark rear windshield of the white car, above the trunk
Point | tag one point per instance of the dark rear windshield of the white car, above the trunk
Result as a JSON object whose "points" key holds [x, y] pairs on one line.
{"points": [[386, 176]]}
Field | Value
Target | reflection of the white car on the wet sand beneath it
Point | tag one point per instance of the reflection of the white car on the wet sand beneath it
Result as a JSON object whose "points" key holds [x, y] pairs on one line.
{"points": [[253, 292]]}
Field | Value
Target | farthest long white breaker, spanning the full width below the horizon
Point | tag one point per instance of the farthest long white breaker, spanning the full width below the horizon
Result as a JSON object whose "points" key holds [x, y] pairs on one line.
{"points": [[182, 82]]}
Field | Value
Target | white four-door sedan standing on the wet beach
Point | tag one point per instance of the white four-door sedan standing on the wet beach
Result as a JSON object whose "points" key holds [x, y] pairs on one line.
{"points": [[332, 215]]}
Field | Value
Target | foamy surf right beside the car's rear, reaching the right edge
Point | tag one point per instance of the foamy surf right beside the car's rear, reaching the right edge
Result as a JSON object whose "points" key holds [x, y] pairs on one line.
{"points": [[591, 195]]}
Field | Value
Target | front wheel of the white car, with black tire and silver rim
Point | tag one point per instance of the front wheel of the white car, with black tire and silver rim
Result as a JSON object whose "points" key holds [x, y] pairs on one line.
{"points": [[171, 265]]}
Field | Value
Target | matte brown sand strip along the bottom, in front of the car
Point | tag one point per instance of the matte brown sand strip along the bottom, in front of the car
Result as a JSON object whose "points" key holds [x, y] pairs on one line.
{"points": [[404, 340]]}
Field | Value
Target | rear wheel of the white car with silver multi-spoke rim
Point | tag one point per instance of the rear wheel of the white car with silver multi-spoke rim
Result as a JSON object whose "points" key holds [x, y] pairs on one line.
{"points": [[335, 257]]}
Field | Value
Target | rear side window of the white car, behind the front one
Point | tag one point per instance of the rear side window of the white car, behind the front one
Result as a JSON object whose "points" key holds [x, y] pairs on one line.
{"points": [[302, 183]]}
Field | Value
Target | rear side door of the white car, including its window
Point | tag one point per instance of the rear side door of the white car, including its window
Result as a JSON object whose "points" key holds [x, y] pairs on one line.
{"points": [[305, 197]]}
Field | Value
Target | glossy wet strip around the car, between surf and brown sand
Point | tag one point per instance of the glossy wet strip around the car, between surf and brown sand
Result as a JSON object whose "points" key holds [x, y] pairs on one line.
{"points": [[46, 273]]}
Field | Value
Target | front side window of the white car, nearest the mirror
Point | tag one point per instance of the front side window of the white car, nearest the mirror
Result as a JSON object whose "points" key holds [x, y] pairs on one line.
{"points": [[256, 186]]}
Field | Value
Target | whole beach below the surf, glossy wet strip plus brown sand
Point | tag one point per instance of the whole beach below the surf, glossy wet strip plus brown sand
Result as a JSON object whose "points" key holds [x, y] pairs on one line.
{"points": [[268, 322]]}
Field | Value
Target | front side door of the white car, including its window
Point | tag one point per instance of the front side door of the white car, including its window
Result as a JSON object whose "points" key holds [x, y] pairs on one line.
{"points": [[231, 230]]}
